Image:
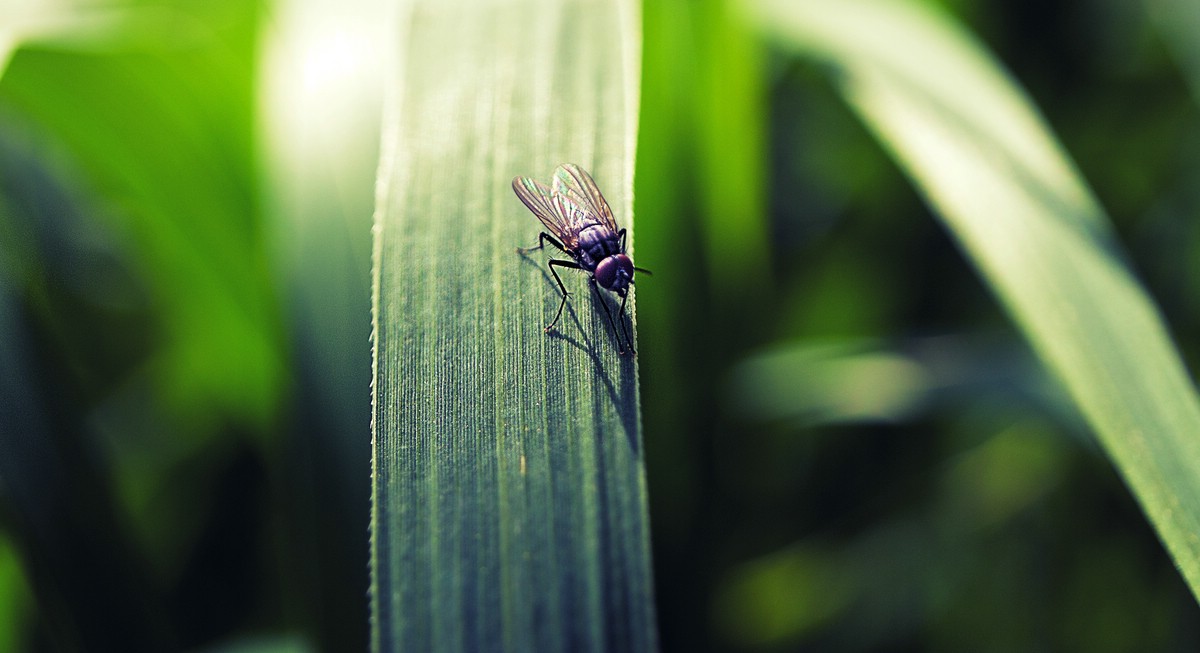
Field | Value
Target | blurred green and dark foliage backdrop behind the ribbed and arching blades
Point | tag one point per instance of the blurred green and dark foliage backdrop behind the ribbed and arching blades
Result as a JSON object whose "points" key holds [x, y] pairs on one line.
{"points": [[849, 447]]}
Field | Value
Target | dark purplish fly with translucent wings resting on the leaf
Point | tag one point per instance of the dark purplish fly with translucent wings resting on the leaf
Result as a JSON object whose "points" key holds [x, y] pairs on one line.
{"points": [[579, 223]]}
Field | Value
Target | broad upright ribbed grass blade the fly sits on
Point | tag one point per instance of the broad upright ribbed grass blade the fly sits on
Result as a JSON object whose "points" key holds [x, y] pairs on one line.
{"points": [[509, 499]]}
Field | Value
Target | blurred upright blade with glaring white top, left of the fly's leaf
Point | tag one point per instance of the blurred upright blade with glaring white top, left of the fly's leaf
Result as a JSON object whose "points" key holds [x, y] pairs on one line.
{"points": [[322, 103]]}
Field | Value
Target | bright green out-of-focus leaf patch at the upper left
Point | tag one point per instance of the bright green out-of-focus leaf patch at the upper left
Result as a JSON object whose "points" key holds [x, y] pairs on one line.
{"points": [[167, 135]]}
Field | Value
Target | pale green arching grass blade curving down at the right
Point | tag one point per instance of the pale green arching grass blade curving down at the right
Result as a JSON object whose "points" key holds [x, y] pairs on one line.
{"points": [[986, 163]]}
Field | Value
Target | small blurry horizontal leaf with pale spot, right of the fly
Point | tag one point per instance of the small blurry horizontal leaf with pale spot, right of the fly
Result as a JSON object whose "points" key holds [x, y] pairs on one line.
{"points": [[817, 381]]}
